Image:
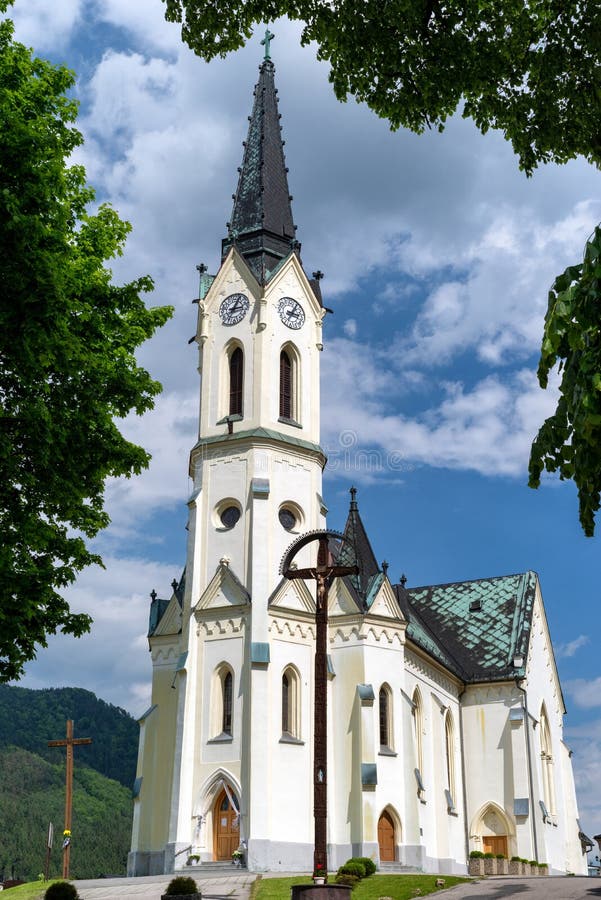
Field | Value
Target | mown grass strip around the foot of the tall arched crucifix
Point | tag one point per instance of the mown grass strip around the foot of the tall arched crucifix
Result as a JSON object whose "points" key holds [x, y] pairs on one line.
{"points": [[399, 887]]}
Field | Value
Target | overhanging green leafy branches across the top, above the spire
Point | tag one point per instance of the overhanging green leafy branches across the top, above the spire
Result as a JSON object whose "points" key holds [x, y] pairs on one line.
{"points": [[528, 68]]}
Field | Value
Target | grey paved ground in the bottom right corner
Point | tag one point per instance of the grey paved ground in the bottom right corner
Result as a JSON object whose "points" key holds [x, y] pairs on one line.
{"points": [[549, 888]]}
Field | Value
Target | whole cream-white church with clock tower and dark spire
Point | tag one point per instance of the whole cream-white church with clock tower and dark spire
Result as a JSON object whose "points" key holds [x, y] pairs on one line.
{"points": [[445, 710]]}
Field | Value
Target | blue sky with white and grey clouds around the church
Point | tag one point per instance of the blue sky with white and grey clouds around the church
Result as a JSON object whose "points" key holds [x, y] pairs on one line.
{"points": [[438, 254]]}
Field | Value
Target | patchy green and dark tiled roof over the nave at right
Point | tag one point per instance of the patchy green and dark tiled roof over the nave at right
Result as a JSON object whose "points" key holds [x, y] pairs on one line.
{"points": [[479, 630]]}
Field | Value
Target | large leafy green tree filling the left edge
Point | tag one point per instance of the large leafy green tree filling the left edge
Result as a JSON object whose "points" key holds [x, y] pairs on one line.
{"points": [[67, 364]]}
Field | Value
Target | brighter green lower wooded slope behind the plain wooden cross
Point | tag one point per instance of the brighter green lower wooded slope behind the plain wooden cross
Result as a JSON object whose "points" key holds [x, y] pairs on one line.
{"points": [[33, 794]]}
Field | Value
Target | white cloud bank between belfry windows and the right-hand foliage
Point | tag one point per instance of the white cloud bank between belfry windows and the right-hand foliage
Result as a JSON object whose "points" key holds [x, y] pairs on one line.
{"points": [[487, 428]]}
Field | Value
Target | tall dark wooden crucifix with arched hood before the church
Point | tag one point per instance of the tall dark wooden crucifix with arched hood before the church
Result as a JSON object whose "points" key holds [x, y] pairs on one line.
{"points": [[327, 568]]}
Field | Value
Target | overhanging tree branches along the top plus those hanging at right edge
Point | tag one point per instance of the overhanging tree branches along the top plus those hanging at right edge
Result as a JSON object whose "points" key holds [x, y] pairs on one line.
{"points": [[530, 68]]}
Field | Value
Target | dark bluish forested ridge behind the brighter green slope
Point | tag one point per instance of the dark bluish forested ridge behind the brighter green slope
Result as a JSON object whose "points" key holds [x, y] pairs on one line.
{"points": [[29, 719]]}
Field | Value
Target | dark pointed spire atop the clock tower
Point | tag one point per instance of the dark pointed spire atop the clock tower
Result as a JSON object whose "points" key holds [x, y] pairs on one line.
{"points": [[261, 225]]}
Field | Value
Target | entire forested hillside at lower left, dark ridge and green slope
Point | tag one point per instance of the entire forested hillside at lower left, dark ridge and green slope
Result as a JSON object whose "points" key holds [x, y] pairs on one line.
{"points": [[32, 781]]}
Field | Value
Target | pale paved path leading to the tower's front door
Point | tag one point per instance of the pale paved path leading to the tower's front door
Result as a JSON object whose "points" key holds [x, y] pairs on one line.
{"points": [[217, 886]]}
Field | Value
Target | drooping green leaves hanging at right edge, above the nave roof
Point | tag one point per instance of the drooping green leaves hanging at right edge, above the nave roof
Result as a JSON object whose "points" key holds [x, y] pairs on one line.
{"points": [[568, 442]]}
